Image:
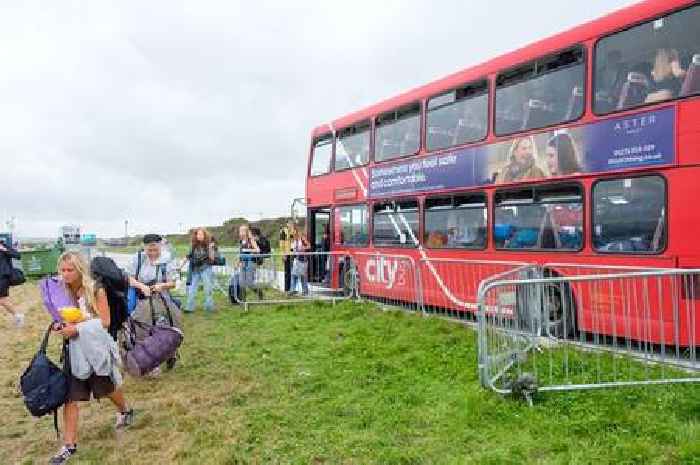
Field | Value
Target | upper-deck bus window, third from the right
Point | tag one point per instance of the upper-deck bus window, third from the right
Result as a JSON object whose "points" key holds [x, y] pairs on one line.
{"points": [[458, 117]]}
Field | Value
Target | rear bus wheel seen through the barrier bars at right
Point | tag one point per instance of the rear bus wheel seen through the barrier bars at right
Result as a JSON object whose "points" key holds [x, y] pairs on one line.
{"points": [[558, 311]]}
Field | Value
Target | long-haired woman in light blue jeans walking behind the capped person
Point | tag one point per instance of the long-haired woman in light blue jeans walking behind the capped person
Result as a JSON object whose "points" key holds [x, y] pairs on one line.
{"points": [[200, 258]]}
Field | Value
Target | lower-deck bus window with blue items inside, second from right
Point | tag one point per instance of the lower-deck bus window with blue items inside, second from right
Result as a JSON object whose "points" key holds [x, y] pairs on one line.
{"points": [[546, 217]]}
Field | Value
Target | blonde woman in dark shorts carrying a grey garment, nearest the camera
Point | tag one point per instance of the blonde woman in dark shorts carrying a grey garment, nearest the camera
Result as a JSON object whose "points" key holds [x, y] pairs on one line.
{"points": [[94, 374]]}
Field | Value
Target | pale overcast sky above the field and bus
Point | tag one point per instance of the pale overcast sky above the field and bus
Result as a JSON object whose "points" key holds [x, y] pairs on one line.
{"points": [[173, 114]]}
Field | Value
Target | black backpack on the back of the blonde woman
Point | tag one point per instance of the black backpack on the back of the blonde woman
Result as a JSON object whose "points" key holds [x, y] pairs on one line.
{"points": [[116, 285]]}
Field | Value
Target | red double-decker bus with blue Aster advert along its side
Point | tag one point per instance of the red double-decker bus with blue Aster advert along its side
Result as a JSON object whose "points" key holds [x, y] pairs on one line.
{"points": [[581, 148]]}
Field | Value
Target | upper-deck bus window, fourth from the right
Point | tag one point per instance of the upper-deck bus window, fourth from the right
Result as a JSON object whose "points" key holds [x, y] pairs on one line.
{"points": [[398, 133]]}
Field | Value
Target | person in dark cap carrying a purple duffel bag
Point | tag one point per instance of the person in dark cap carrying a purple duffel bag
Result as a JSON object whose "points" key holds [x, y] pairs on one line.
{"points": [[154, 277]]}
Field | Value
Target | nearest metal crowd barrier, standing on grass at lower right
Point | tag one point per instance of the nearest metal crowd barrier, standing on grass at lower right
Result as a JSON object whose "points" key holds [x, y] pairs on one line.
{"points": [[588, 331]]}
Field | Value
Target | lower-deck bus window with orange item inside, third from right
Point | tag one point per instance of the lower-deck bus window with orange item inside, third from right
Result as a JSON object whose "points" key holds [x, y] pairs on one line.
{"points": [[456, 222]]}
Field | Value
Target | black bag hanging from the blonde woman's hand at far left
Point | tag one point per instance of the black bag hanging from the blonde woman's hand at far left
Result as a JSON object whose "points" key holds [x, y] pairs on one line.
{"points": [[44, 386]]}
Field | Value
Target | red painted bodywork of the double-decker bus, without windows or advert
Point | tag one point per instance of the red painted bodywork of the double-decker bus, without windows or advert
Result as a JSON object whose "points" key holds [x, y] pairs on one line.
{"points": [[397, 281]]}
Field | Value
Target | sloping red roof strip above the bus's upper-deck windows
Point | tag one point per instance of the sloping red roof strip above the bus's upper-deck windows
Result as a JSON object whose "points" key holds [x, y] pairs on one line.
{"points": [[617, 20]]}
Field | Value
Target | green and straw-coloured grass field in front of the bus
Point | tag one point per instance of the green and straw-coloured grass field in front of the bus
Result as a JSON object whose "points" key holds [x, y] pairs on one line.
{"points": [[344, 384]]}
